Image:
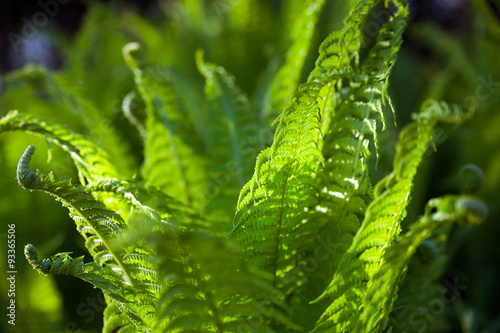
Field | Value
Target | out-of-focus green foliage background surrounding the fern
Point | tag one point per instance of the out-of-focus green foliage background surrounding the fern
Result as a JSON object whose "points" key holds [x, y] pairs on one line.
{"points": [[86, 94]]}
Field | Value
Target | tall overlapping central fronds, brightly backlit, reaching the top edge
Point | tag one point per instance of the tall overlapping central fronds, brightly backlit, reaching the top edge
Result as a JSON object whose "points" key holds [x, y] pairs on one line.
{"points": [[337, 93]]}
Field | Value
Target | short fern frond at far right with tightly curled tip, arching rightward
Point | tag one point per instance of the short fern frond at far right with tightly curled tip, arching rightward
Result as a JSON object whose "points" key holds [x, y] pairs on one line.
{"points": [[382, 288]]}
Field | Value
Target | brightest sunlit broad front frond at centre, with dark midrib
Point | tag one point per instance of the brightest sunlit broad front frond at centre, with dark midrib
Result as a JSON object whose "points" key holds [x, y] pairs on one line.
{"points": [[271, 206]]}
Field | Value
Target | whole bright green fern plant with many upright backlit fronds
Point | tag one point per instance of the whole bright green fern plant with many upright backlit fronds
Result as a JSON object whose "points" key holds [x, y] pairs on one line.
{"points": [[217, 233]]}
